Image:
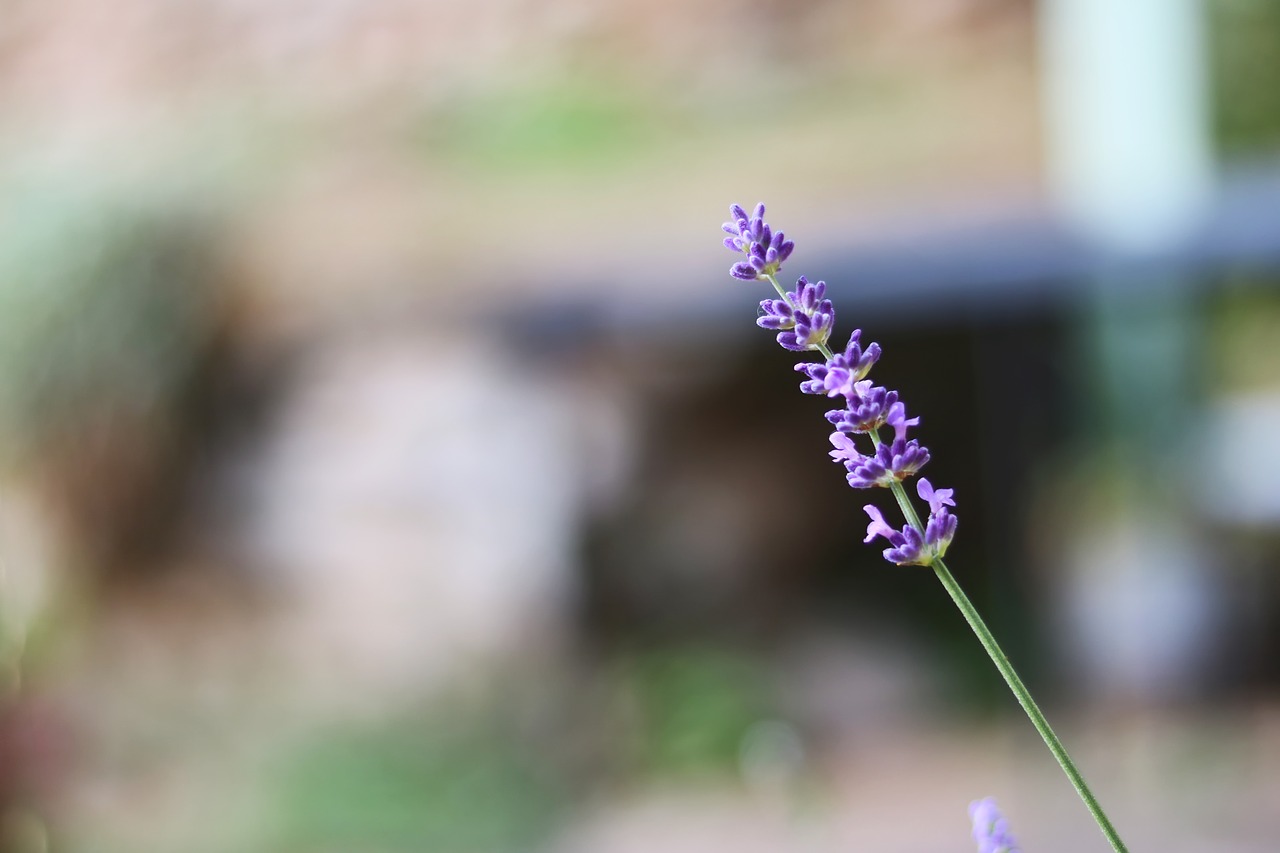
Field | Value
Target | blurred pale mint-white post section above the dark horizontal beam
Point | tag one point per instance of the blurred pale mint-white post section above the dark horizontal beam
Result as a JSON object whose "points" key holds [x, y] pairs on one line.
{"points": [[1130, 154]]}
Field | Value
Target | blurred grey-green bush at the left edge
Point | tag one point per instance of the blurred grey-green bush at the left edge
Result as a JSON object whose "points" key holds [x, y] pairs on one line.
{"points": [[106, 312]]}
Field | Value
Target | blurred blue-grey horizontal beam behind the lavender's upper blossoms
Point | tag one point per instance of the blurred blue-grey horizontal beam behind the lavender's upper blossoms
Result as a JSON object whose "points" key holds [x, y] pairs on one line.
{"points": [[945, 270]]}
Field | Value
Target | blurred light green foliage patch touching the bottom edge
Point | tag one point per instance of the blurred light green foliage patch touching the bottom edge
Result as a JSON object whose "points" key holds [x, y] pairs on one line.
{"points": [[465, 786]]}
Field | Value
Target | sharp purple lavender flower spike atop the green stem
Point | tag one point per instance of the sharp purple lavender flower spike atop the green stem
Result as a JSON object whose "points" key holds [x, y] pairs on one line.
{"points": [[804, 320]]}
